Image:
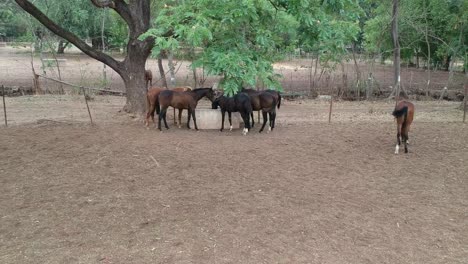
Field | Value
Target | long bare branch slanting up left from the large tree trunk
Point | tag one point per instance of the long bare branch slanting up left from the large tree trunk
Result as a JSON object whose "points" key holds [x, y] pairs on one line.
{"points": [[75, 40]]}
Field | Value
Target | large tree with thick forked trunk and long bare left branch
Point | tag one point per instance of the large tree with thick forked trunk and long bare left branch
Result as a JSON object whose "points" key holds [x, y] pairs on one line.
{"points": [[136, 14]]}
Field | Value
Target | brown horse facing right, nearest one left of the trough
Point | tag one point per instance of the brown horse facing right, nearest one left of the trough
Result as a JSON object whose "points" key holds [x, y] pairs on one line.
{"points": [[182, 100]]}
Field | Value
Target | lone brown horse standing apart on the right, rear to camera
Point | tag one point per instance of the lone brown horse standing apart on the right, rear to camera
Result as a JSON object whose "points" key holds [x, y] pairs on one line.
{"points": [[404, 113]]}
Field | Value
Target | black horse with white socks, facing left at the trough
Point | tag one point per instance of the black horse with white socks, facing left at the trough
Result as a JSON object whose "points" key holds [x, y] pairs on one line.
{"points": [[239, 103]]}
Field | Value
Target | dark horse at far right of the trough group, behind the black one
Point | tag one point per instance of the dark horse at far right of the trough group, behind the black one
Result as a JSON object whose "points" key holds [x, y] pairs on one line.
{"points": [[266, 102]]}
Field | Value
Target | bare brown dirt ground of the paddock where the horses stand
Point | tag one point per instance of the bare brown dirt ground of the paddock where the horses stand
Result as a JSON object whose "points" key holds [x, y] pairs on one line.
{"points": [[309, 192]]}
